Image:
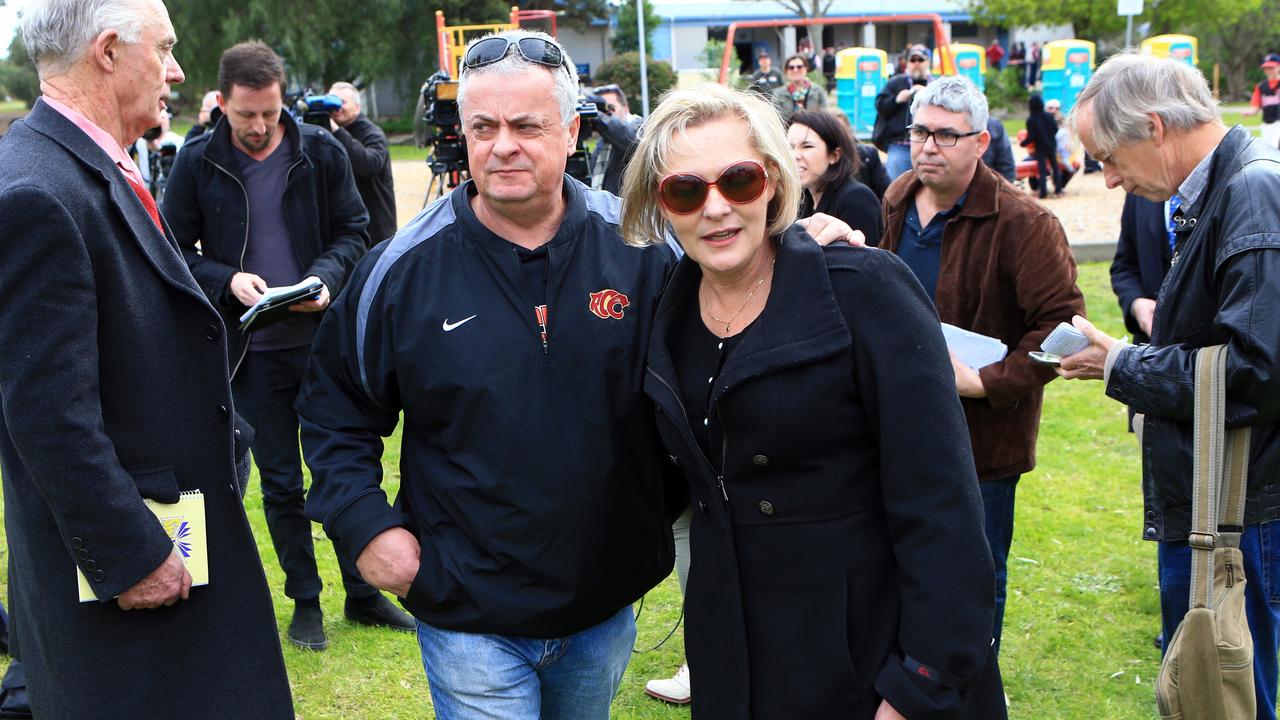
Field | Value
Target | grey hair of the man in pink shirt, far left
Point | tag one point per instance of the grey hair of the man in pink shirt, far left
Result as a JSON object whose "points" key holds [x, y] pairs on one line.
{"points": [[58, 33]]}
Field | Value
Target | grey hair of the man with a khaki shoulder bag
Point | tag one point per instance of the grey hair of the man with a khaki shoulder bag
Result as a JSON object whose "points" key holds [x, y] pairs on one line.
{"points": [[1130, 88]]}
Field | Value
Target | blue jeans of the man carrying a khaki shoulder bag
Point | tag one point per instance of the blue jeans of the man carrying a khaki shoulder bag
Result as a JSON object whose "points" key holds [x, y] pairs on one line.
{"points": [[1261, 549]]}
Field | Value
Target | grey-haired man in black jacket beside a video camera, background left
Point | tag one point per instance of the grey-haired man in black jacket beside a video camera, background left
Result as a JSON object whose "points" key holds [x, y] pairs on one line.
{"points": [[371, 161]]}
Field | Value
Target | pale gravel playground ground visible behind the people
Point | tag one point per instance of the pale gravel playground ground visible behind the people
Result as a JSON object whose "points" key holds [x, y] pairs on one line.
{"points": [[1090, 213]]}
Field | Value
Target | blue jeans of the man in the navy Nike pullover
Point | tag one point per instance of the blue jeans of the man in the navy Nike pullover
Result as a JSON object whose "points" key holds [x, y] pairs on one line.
{"points": [[482, 677]]}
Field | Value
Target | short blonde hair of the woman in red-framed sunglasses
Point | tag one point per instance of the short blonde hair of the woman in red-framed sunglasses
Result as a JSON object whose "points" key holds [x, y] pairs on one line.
{"points": [[643, 222]]}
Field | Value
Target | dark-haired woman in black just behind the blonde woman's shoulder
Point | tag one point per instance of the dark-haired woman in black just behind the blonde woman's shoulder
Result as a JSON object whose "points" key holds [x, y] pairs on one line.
{"points": [[829, 166]]}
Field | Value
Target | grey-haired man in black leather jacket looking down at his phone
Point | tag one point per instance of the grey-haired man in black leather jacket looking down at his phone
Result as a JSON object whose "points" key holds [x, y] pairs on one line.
{"points": [[1155, 127]]}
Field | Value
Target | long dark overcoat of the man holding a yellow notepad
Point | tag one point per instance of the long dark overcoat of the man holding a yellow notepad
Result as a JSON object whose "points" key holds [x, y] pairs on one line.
{"points": [[115, 388]]}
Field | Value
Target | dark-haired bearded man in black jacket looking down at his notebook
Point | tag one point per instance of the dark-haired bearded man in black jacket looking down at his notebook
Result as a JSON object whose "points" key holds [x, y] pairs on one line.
{"points": [[273, 203]]}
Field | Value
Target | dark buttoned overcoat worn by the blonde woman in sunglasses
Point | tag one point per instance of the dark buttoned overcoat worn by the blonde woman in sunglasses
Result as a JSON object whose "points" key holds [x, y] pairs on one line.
{"points": [[839, 558]]}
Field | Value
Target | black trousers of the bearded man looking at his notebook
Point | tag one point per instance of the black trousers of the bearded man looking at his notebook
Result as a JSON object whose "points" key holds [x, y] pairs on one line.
{"points": [[266, 389]]}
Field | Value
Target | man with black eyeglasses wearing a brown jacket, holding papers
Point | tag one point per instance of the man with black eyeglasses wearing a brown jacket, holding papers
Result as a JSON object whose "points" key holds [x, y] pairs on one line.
{"points": [[996, 263]]}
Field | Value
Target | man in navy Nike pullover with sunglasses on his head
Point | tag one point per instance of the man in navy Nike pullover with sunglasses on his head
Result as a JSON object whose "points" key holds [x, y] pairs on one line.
{"points": [[509, 326]]}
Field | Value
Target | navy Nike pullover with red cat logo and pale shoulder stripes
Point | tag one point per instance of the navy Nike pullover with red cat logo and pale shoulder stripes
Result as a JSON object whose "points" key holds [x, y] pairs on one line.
{"points": [[532, 473]]}
